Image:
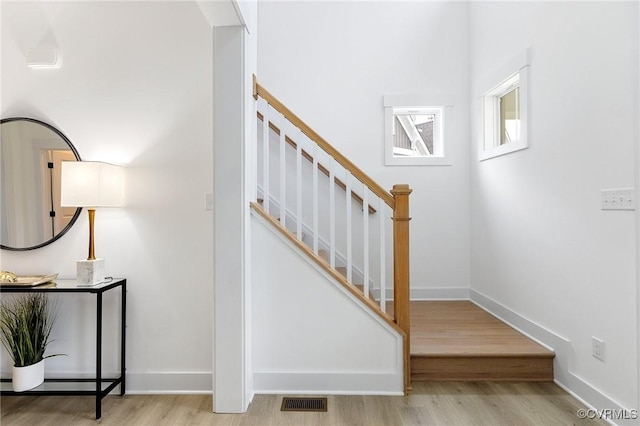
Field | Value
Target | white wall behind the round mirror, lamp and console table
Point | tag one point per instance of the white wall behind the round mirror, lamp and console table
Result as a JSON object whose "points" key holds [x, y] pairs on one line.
{"points": [[135, 88]]}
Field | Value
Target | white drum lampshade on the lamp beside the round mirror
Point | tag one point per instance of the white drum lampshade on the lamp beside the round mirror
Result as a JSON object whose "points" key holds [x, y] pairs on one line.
{"points": [[91, 184]]}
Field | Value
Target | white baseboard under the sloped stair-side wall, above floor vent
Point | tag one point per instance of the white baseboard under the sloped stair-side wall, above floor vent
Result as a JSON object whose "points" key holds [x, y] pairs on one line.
{"points": [[310, 383]]}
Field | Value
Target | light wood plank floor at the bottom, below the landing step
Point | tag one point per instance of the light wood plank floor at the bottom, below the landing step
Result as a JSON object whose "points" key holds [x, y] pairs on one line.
{"points": [[431, 403]]}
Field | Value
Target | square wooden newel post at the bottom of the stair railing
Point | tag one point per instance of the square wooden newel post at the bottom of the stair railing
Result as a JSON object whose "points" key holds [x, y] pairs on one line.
{"points": [[401, 270]]}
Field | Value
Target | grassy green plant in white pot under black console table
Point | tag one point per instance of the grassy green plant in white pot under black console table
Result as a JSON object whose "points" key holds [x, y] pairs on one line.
{"points": [[26, 322]]}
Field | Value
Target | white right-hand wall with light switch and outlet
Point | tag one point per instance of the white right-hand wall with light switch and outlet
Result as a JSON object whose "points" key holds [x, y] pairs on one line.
{"points": [[541, 246]]}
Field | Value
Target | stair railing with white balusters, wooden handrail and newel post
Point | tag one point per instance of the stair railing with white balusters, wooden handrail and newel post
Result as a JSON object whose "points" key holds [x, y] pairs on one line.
{"points": [[346, 223]]}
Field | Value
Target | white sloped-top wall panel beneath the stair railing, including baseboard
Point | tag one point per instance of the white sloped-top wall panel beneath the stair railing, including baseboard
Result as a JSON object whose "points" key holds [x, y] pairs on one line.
{"points": [[309, 334]]}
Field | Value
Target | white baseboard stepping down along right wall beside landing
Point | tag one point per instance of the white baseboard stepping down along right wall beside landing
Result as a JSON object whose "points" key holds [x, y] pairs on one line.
{"points": [[563, 362]]}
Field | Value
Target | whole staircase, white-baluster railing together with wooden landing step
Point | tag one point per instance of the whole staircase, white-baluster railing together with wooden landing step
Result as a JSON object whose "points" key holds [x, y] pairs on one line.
{"points": [[359, 234]]}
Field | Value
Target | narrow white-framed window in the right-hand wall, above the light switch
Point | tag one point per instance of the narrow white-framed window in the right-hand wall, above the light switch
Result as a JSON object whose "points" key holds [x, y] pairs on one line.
{"points": [[505, 114]]}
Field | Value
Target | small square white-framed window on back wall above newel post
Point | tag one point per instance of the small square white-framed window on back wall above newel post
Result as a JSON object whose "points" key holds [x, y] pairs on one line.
{"points": [[414, 130]]}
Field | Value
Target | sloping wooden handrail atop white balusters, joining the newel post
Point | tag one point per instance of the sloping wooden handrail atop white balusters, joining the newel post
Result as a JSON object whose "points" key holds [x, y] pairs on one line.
{"points": [[322, 143]]}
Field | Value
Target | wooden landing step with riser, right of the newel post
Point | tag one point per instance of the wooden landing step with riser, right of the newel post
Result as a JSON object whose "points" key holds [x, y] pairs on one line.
{"points": [[457, 340]]}
